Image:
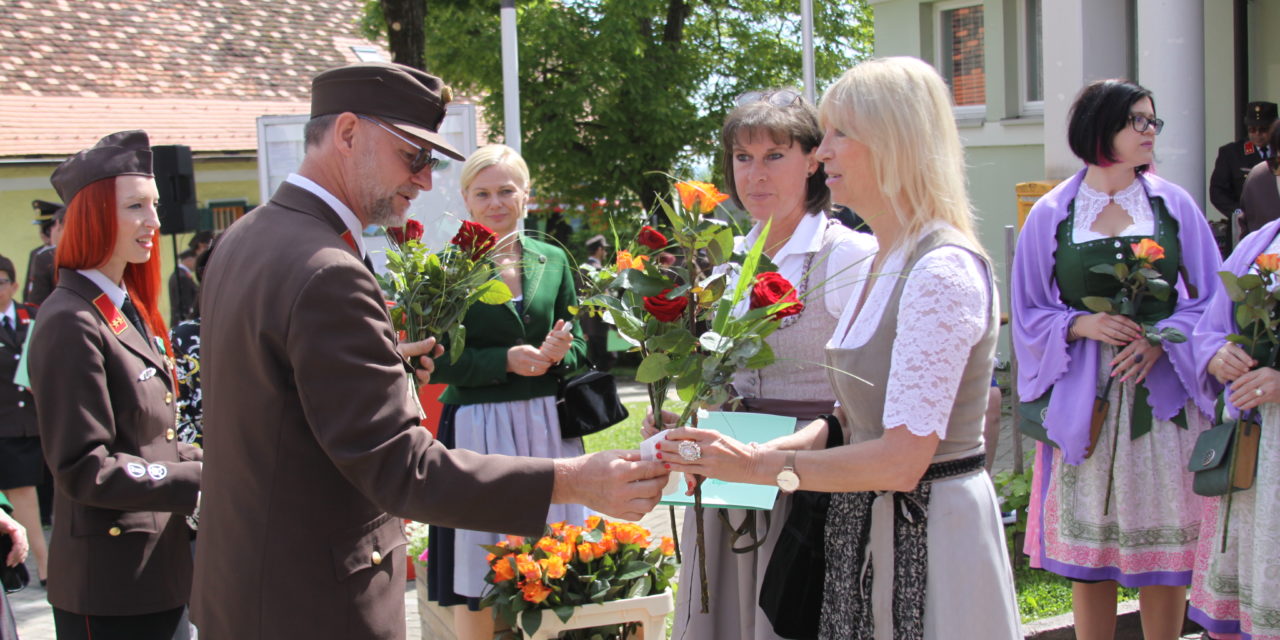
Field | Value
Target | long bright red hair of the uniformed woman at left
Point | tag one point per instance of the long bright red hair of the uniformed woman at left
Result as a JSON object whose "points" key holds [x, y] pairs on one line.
{"points": [[89, 240]]}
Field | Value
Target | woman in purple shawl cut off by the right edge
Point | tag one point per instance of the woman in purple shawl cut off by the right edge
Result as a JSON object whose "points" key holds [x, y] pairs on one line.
{"points": [[1237, 589]]}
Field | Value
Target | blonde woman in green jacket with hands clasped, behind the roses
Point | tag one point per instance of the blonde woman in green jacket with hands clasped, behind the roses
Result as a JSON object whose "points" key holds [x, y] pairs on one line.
{"points": [[502, 390]]}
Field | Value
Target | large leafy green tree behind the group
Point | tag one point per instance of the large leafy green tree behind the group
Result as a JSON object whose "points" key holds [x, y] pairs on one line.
{"points": [[615, 93]]}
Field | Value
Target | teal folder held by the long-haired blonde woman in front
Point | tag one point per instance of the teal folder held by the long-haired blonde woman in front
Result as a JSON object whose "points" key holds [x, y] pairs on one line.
{"points": [[747, 428]]}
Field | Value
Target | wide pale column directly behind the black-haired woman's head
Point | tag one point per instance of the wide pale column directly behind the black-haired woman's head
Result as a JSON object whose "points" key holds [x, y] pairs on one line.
{"points": [[1085, 40]]}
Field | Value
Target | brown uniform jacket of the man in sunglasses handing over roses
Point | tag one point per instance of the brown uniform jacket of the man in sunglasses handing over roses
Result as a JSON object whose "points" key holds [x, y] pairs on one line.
{"points": [[312, 442]]}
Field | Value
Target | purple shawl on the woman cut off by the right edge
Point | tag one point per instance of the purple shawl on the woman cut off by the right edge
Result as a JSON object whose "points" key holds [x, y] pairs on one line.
{"points": [[1219, 319]]}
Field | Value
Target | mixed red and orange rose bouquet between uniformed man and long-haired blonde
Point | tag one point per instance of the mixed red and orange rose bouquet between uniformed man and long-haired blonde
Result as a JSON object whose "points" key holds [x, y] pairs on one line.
{"points": [[680, 314]]}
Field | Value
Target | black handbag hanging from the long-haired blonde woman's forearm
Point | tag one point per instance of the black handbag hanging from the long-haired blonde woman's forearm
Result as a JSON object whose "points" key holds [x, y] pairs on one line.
{"points": [[792, 592]]}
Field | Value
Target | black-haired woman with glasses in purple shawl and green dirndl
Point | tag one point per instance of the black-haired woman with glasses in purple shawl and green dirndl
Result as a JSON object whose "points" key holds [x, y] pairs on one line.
{"points": [[1127, 514]]}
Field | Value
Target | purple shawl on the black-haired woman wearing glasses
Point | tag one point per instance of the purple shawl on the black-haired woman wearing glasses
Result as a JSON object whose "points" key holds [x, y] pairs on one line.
{"points": [[1041, 319]]}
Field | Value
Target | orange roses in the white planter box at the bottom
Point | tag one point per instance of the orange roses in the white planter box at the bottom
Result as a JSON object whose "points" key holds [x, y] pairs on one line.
{"points": [[572, 566]]}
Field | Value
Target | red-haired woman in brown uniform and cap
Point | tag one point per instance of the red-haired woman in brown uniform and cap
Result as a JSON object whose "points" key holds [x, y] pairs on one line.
{"points": [[102, 372]]}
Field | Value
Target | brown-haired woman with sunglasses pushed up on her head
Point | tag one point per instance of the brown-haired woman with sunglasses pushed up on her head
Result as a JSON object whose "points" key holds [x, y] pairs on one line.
{"points": [[770, 144]]}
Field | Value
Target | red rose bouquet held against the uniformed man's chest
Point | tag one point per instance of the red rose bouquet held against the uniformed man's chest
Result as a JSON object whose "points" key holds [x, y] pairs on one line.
{"points": [[431, 292]]}
